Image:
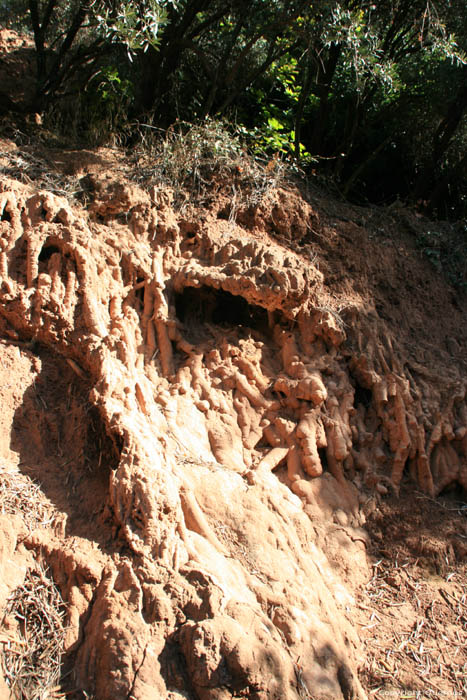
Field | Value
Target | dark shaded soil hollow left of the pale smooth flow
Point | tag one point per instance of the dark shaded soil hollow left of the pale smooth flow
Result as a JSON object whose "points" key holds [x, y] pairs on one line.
{"points": [[64, 447]]}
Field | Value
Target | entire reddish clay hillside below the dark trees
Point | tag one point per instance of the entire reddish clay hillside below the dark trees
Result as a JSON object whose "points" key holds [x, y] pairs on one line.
{"points": [[233, 436]]}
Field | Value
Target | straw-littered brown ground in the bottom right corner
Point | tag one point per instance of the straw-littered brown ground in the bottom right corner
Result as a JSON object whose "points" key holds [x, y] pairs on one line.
{"points": [[414, 608]]}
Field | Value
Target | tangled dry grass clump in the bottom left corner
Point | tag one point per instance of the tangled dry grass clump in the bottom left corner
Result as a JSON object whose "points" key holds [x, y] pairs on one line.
{"points": [[31, 651]]}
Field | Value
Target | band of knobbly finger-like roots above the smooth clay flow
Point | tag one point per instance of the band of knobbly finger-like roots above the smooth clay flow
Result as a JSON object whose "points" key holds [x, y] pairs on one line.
{"points": [[309, 379]]}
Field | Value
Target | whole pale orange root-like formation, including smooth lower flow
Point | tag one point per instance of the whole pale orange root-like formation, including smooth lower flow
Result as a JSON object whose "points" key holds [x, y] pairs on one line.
{"points": [[214, 369]]}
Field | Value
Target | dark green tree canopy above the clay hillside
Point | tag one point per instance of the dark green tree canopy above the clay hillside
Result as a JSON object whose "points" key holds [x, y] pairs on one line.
{"points": [[372, 95]]}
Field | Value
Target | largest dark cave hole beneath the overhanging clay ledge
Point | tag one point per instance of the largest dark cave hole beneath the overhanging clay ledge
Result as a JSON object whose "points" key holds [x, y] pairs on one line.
{"points": [[209, 305]]}
